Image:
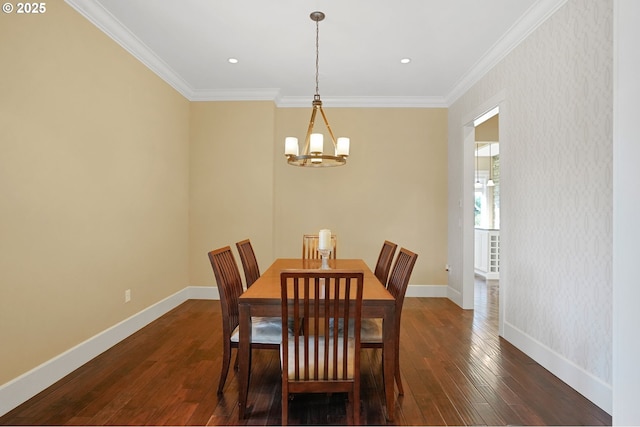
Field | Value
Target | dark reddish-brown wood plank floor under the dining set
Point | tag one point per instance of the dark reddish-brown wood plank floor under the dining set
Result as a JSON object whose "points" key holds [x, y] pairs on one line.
{"points": [[455, 370]]}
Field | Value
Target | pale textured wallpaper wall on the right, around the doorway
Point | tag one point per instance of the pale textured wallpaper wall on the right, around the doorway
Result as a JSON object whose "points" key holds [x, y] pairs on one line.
{"points": [[556, 182]]}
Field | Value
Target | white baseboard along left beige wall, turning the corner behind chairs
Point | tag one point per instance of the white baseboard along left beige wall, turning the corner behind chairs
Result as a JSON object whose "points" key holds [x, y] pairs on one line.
{"points": [[27, 385]]}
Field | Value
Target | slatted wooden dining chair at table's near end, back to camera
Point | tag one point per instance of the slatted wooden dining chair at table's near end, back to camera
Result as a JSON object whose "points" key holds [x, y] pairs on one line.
{"points": [[320, 358]]}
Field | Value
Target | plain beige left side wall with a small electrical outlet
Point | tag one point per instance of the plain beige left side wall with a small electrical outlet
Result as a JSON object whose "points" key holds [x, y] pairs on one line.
{"points": [[93, 186]]}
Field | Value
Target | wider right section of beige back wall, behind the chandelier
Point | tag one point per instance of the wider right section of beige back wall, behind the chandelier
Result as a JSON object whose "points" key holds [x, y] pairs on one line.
{"points": [[393, 187]]}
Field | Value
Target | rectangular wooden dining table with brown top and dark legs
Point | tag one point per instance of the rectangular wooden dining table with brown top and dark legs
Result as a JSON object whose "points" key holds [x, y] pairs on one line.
{"points": [[263, 298]]}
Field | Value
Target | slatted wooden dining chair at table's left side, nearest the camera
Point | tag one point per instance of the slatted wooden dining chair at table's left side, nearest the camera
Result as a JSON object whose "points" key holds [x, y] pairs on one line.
{"points": [[266, 333]]}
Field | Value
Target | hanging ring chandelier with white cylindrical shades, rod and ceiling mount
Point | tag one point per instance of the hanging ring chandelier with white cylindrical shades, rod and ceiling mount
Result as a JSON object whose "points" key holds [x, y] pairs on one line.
{"points": [[313, 154]]}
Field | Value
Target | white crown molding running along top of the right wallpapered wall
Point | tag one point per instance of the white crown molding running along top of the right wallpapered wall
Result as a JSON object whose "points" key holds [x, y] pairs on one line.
{"points": [[538, 13]]}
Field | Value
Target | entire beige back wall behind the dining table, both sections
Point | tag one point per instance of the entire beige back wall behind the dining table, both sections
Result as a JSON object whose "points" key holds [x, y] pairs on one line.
{"points": [[393, 187]]}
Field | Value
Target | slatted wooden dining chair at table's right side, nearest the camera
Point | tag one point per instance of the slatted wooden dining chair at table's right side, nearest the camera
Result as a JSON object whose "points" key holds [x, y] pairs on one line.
{"points": [[372, 328]]}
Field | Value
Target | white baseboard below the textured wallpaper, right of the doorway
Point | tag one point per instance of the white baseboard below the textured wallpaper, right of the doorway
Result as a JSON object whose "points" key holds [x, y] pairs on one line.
{"points": [[577, 378]]}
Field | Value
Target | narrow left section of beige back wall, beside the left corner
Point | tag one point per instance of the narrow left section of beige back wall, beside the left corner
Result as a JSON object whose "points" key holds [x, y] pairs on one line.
{"points": [[231, 185]]}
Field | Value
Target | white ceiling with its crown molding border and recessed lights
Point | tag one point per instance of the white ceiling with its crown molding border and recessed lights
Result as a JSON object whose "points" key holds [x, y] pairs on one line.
{"points": [[451, 43]]}
